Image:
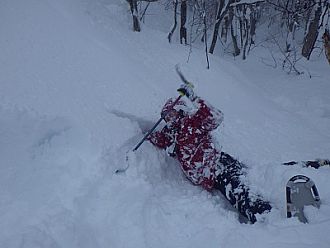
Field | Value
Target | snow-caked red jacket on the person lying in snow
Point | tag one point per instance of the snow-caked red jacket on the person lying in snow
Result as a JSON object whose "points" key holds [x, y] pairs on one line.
{"points": [[193, 144]]}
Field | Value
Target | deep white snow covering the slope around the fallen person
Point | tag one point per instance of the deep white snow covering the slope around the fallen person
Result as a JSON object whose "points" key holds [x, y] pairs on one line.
{"points": [[77, 87]]}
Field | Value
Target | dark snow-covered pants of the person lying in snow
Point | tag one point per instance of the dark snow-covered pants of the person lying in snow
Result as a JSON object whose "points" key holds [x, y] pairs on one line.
{"points": [[238, 194]]}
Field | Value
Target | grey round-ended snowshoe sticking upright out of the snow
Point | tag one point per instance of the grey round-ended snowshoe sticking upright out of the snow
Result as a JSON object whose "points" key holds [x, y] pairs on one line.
{"points": [[300, 192]]}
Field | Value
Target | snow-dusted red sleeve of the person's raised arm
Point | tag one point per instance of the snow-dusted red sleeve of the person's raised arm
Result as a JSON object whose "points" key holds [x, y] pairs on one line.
{"points": [[208, 116]]}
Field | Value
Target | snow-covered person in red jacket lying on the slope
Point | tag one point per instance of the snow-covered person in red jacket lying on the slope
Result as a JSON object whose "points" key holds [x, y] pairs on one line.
{"points": [[187, 137]]}
